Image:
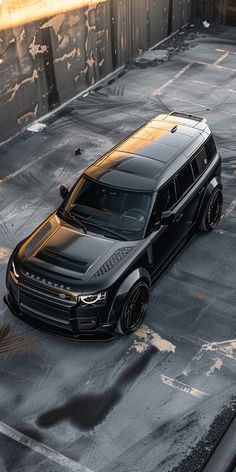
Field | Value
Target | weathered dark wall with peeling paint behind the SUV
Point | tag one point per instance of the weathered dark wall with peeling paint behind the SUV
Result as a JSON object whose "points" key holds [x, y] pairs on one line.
{"points": [[52, 59]]}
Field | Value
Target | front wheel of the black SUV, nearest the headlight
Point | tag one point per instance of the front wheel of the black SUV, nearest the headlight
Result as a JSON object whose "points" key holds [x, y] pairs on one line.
{"points": [[134, 309]]}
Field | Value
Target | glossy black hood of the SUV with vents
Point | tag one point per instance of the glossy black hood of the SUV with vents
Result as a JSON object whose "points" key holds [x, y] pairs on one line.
{"points": [[64, 250]]}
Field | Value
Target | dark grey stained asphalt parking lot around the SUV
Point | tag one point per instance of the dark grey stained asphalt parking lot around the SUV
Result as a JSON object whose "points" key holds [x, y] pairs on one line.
{"points": [[156, 401]]}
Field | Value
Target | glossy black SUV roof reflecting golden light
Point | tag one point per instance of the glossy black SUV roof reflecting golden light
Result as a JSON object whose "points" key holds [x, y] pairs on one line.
{"points": [[139, 160]]}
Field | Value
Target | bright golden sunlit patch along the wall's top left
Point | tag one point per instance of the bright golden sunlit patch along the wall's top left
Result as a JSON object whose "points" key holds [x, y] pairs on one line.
{"points": [[19, 12]]}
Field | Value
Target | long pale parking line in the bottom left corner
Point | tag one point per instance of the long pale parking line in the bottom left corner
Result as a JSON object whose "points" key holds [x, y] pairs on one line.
{"points": [[42, 449]]}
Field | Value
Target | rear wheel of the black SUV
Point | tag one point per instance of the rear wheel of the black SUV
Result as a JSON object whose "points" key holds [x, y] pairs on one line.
{"points": [[212, 212]]}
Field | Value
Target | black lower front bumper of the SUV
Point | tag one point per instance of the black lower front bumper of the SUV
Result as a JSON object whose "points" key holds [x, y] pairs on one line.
{"points": [[55, 321]]}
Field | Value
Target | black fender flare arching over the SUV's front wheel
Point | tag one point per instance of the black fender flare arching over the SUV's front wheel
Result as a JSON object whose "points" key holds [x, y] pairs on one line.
{"points": [[138, 274]]}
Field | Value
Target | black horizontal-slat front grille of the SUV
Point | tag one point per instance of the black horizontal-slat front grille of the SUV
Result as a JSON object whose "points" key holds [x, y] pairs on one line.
{"points": [[44, 305]]}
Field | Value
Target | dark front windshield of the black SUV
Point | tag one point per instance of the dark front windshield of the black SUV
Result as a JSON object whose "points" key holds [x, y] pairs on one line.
{"points": [[112, 211]]}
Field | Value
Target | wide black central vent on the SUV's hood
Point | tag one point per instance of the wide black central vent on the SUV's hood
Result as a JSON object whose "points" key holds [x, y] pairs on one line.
{"points": [[62, 260]]}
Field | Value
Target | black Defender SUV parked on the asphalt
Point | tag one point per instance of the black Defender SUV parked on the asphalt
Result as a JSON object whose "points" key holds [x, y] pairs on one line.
{"points": [[87, 270]]}
